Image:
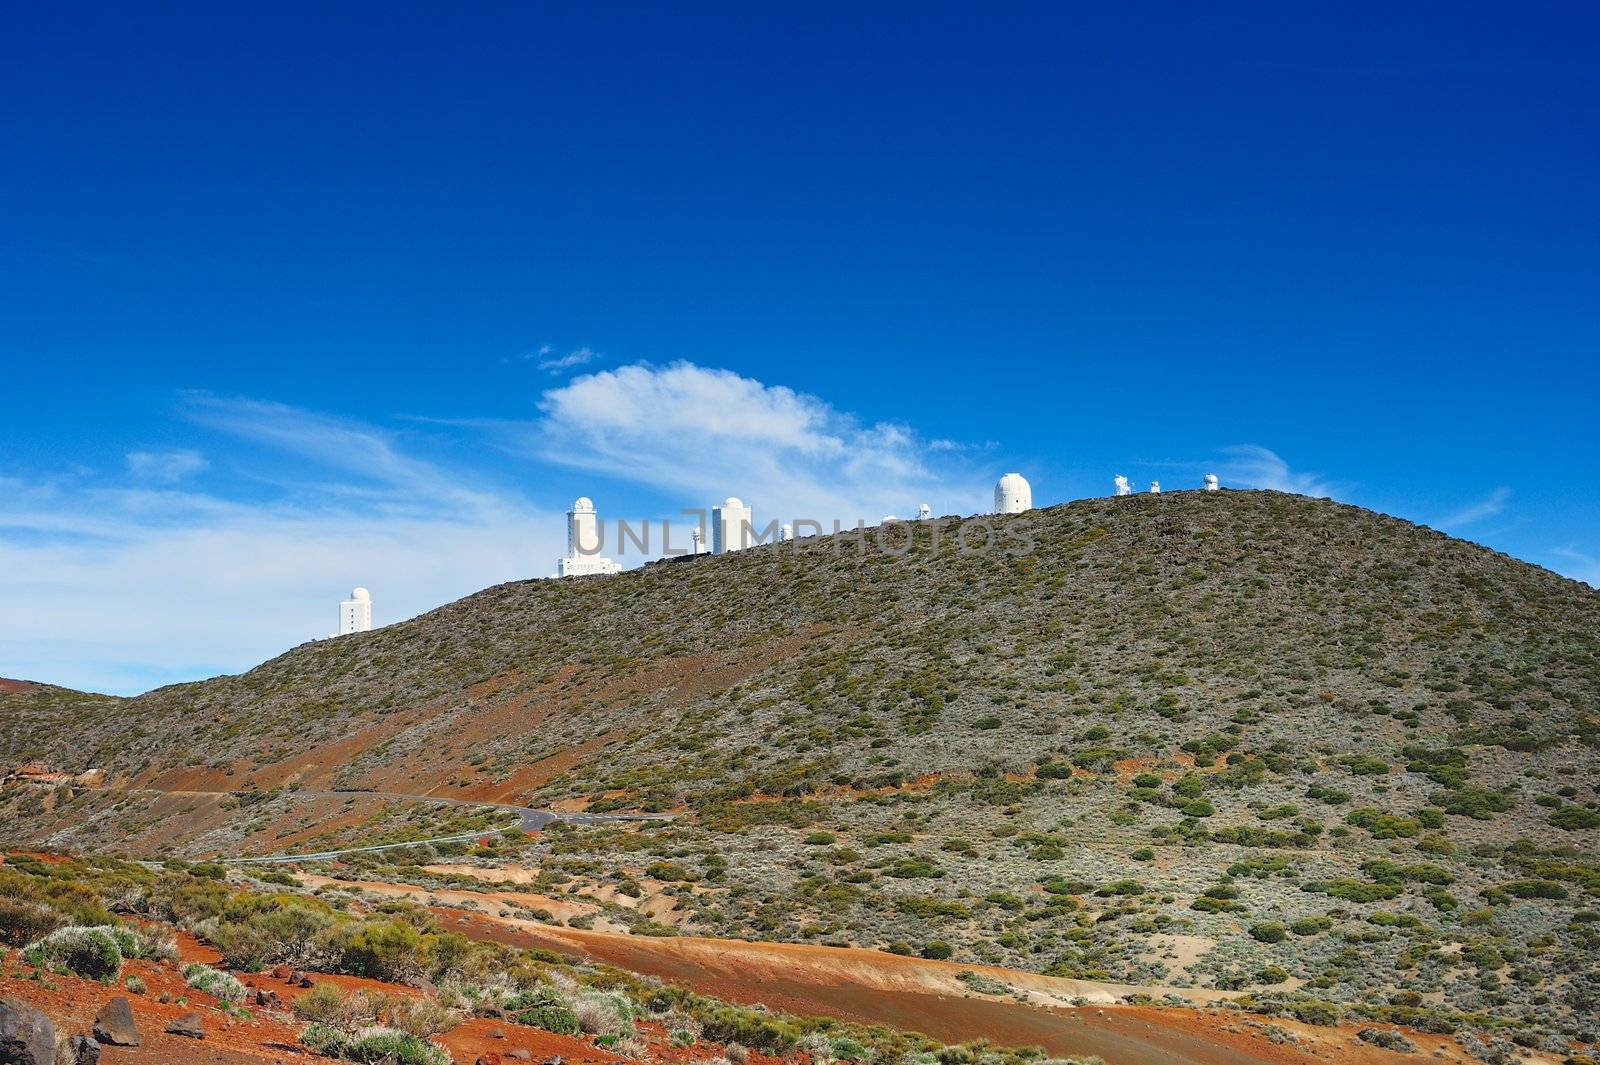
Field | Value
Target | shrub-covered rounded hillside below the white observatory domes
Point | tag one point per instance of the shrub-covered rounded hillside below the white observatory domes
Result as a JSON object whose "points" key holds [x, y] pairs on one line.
{"points": [[1238, 741]]}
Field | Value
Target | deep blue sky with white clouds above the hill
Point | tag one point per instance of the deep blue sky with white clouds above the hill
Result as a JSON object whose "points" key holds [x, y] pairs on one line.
{"points": [[308, 301]]}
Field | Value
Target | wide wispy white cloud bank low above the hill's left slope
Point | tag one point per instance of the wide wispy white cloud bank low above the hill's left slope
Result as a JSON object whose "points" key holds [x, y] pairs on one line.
{"points": [[126, 588]]}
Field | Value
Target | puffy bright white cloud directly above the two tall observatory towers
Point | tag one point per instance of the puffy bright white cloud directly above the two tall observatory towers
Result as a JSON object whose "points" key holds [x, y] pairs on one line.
{"points": [[711, 433]]}
